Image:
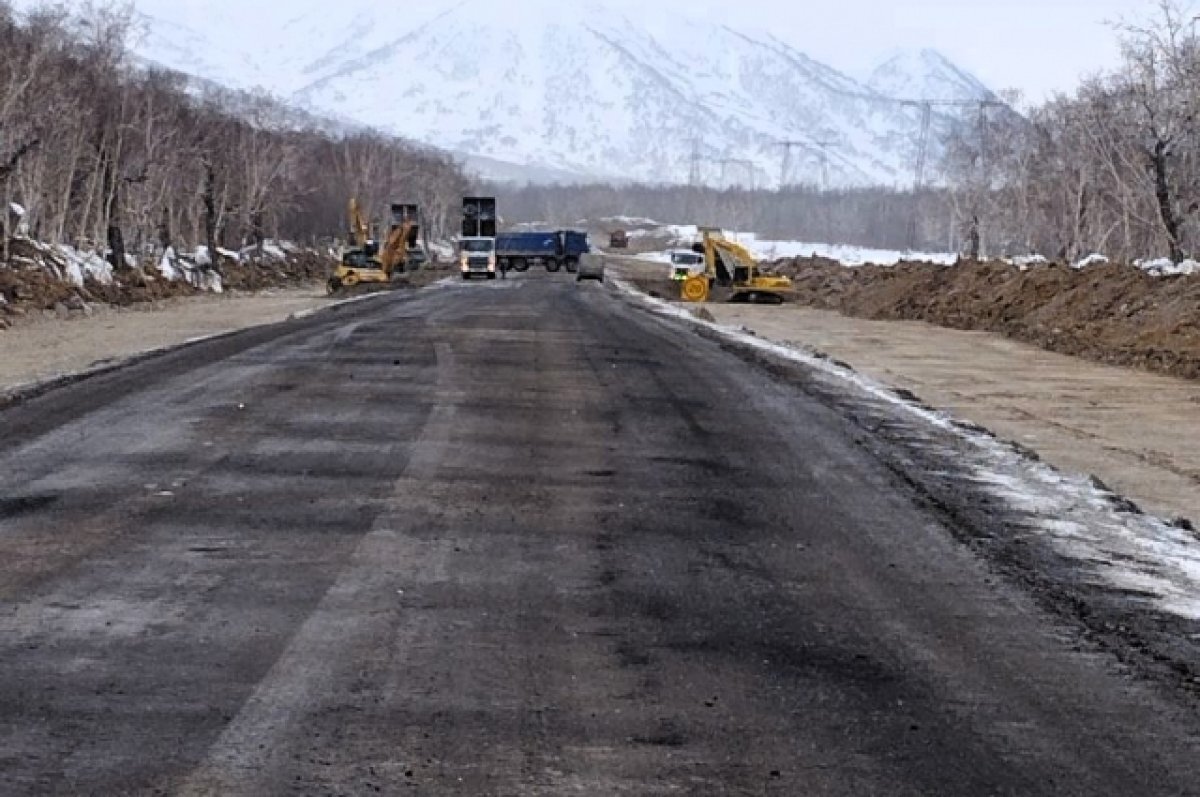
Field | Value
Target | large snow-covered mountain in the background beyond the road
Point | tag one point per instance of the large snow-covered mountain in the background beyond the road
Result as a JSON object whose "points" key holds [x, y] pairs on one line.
{"points": [[589, 88]]}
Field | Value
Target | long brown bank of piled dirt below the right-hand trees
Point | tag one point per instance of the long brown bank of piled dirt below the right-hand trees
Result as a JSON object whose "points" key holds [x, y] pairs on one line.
{"points": [[1111, 314]]}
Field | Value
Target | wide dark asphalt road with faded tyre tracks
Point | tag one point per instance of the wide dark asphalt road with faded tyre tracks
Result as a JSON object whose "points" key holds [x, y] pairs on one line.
{"points": [[517, 540]]}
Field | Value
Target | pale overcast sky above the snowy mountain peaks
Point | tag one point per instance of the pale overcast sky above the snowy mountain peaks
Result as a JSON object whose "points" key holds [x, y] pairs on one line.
{"points": [[1037, 46]]}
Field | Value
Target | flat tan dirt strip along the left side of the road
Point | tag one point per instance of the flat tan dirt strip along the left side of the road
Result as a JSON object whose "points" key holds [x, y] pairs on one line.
{"points": [[43, 347]]}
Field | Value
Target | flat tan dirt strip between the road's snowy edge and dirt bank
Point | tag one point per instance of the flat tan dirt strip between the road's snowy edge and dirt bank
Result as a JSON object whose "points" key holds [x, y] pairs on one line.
{"points": [[1136, 432]]}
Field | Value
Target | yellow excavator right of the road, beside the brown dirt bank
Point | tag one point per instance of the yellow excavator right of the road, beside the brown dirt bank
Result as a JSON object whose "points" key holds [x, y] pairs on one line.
{"points": [[733, 273]]}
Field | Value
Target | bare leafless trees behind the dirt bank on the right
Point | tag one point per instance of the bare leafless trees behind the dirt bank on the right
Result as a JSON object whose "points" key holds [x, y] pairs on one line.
{"points": [[1112, 169]]}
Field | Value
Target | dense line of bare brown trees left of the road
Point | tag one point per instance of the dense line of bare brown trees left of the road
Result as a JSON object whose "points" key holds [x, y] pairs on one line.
{"points": [[110, 157]]}
